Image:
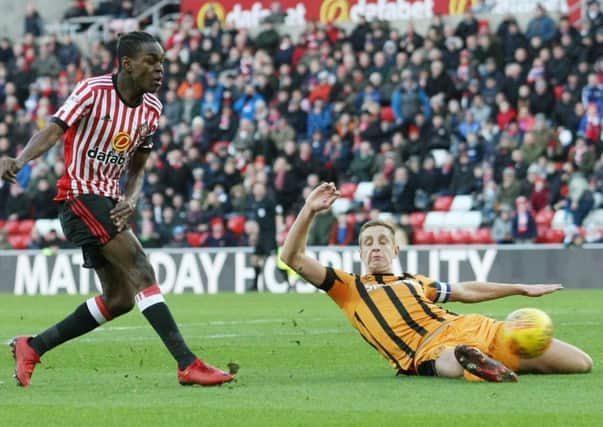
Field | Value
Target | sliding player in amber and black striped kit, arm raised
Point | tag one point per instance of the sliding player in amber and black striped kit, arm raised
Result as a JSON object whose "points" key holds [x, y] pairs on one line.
{"points": [[398, 315]]}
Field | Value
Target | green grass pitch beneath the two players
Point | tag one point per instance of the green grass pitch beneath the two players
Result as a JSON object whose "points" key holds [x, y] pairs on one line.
{"points": [[301, 365]]}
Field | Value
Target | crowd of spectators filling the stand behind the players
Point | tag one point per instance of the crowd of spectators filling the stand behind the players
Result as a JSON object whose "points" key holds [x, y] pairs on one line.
{"points": [[251, 124]]}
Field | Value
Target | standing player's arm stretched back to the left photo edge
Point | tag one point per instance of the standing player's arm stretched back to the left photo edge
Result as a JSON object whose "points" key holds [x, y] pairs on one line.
{"points": [[38, 144]]}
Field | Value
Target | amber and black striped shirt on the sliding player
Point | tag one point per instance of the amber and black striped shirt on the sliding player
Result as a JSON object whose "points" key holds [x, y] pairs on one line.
{"points": [[392, 313]]}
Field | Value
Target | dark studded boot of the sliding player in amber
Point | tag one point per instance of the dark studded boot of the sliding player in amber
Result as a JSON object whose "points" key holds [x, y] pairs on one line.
{"points": [[483, 366]]}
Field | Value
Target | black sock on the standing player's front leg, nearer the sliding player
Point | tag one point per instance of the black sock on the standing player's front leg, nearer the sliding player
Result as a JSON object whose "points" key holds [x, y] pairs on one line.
{"points": [[161, 319]]}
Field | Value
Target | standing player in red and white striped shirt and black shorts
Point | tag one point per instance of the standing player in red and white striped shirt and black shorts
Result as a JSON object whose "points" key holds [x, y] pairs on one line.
{"points": [[107, 124]]}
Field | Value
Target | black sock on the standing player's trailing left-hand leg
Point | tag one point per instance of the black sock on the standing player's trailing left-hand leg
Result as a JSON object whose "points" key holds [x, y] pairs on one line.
{"points": [[80, 322]]}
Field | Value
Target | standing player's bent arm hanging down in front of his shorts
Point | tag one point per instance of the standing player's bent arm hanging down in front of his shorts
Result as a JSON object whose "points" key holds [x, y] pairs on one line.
{"points": [[125, 207]]}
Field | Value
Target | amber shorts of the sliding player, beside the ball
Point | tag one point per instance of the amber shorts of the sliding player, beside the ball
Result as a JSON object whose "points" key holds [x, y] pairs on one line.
{"points": [[471, 329]]}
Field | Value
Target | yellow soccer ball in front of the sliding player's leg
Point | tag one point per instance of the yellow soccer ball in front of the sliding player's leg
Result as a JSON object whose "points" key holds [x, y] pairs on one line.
{"points": [[528, 332]]}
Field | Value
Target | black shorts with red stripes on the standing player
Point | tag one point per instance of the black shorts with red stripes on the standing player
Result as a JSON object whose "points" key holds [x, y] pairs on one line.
{"points": [[87, 223]]}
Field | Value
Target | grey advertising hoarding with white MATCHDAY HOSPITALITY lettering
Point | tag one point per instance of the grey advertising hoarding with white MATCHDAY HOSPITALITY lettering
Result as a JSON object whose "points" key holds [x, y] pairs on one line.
{"points": [[213, 271]]}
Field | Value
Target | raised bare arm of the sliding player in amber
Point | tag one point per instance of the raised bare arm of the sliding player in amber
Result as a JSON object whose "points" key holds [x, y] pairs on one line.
{"points": [[294, 248]]}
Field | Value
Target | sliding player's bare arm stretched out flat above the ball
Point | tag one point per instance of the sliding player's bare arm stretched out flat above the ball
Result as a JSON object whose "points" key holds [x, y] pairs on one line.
{"points": [[483, 291]]}
